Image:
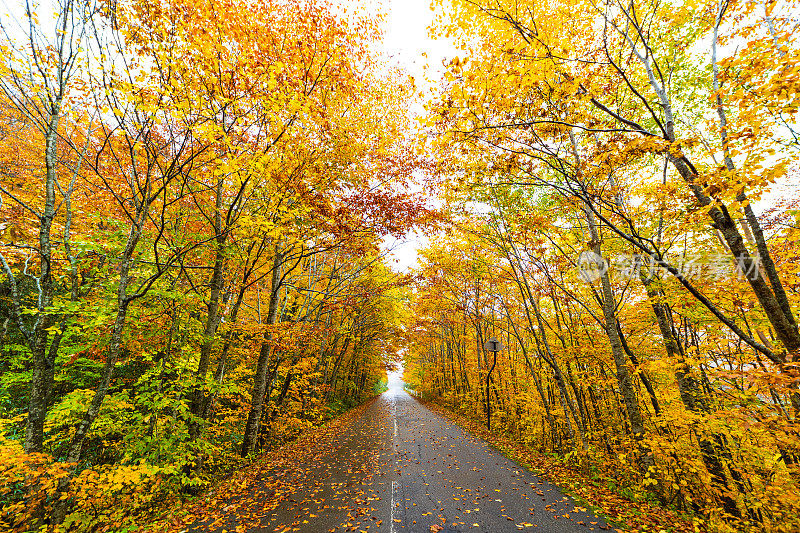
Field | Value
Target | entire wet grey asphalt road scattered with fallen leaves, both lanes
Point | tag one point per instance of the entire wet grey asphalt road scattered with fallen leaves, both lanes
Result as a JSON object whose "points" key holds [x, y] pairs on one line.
{"points": [[399, 467]]}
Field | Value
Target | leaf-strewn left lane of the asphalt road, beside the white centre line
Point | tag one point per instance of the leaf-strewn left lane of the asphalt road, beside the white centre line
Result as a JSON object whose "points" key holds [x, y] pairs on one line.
{"points": [[299, 486]]}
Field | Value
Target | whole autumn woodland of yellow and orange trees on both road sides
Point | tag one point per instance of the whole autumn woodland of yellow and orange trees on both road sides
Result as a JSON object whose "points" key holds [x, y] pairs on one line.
{"points": [[194, 197]]}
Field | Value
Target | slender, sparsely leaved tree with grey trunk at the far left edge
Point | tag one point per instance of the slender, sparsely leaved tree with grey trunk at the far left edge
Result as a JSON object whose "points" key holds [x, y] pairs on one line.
{"points": [[40, 82]]}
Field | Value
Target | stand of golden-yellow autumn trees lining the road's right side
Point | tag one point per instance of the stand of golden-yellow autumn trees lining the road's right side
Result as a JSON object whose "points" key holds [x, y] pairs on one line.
{"points": [[561, 139]]}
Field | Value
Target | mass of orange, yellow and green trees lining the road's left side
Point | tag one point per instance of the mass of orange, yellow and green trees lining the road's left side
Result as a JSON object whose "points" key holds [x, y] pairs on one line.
{"points": [[232, 170]]}
